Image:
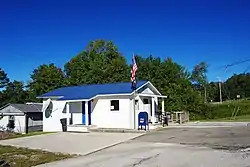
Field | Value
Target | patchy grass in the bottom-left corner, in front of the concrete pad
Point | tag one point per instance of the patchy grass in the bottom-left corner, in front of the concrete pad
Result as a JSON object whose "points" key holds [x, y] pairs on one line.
{"points": [[24, 157]]}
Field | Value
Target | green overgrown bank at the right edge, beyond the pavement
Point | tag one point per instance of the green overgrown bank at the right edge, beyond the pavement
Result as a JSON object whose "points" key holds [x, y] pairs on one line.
{"points": [[225, 110]]}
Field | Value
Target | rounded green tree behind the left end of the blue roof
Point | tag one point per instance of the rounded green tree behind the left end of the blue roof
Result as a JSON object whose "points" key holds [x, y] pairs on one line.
{"points": [[44, 79]]}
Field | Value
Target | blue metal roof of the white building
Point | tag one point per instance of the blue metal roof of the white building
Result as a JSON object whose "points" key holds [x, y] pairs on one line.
{"points": [[89, 91]]}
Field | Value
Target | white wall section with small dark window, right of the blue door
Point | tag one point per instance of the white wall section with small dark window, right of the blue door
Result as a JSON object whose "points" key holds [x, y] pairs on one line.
{"points": [[103, 117]]}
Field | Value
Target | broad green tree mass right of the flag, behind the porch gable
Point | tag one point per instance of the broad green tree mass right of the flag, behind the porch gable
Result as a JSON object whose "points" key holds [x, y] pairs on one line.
{"points": [[171, 79]]}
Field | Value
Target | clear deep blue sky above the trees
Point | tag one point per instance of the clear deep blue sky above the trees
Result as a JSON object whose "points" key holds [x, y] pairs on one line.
{"points": [[45, 31]]}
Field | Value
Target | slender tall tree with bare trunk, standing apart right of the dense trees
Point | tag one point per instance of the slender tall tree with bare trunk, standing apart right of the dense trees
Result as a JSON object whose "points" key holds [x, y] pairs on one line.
{"points": [[199, 77]]}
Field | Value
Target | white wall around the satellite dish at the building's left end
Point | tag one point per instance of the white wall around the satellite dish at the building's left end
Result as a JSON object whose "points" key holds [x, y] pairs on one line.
{"points": [[53, 124]]}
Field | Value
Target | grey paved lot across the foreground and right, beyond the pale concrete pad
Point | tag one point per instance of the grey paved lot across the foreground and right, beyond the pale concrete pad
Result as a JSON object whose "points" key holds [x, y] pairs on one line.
{"points": [[162, 148]]}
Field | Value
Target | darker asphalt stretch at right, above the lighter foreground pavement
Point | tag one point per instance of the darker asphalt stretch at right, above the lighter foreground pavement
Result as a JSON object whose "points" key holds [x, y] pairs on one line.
{"points": [[228, 138]]}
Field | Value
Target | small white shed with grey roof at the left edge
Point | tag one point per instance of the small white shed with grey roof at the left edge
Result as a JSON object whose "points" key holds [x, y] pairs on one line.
{"points": [[27, 117]]}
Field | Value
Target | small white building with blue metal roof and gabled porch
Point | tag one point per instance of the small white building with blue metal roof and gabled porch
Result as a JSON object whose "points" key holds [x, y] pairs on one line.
{"points": [[100, 105]]}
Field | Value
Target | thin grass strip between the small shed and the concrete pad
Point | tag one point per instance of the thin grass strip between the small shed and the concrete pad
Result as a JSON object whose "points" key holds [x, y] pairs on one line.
{"points": [[5, 136]]}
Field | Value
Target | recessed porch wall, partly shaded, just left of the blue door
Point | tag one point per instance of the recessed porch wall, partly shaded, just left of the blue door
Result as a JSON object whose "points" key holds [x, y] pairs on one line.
{"points": [[75, 109]]}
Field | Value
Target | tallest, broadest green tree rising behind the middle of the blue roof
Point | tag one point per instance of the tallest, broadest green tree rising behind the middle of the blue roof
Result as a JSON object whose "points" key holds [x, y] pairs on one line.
{"points": [[99, 63]]}
